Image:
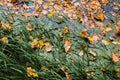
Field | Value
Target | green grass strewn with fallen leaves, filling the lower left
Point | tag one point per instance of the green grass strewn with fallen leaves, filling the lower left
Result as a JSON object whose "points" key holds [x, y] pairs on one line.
{"points": [[16, 55]]}
